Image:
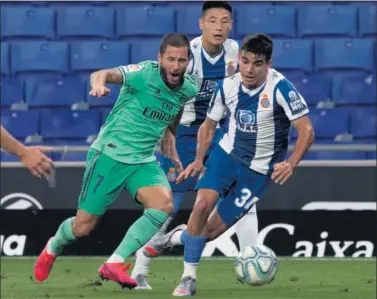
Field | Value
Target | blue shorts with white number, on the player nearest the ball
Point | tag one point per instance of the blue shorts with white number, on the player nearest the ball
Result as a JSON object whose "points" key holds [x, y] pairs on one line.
{"points": [[239, 187]]}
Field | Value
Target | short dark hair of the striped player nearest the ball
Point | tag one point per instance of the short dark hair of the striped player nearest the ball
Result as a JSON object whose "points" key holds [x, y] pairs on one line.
{"points": [[259, 44]]}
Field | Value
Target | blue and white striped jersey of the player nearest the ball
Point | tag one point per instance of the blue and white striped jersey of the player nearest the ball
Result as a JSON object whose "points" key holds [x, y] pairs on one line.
{"points": [[259, 120]]}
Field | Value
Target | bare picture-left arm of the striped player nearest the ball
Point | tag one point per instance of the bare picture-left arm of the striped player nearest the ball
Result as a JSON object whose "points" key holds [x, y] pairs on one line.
{"points": [[205, 136]]}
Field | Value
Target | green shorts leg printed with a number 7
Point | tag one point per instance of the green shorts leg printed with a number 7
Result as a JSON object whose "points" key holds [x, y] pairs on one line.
{"points": [[103, 180]]}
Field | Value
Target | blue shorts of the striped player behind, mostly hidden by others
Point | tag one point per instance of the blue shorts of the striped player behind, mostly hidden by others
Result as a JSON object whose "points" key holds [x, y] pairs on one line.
{"points": [[186, 147]]}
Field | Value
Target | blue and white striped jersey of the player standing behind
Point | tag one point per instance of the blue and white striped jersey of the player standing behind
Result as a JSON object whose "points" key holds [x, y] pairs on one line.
{"points": [[208, 71]]}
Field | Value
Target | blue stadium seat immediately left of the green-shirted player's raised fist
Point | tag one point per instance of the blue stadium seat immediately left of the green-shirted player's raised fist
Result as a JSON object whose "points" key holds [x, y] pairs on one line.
{"points": [[62, 92]]}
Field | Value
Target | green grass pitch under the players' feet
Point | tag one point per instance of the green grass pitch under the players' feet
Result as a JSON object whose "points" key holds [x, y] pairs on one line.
{"points": [[296, 279]]}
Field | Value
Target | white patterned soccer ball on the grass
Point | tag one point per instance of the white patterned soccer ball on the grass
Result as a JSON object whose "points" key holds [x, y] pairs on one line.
{"points": [[256, 265]]}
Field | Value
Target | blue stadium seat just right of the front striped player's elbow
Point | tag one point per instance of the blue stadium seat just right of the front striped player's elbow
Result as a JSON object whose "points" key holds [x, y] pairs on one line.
{"points": [[328, 123]]}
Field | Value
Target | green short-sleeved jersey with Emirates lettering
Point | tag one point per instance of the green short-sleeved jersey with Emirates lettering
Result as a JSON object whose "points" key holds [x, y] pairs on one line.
{"points": [[144, 109]]}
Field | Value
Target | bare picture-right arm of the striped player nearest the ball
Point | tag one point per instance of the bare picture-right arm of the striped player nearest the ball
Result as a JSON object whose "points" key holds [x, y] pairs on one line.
{"points": [[283, 170]]}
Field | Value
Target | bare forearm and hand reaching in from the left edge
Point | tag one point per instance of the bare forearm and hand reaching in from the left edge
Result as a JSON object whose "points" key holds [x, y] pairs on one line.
{"points": [[32, 157]]}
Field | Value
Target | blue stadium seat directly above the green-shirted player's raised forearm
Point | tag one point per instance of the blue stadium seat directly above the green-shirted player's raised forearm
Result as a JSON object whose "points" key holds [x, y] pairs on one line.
{"points": [[94, 55]]}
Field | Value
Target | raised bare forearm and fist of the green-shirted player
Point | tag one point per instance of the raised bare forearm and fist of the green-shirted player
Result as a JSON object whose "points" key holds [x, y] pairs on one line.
{"points": [[99, 79]]}
